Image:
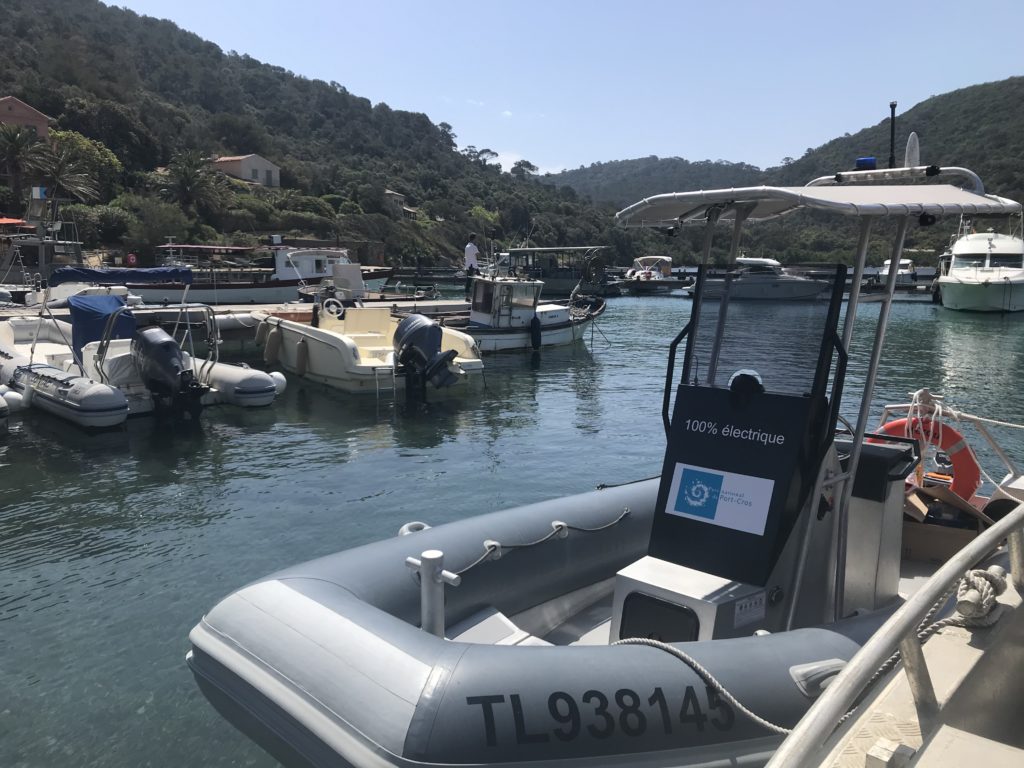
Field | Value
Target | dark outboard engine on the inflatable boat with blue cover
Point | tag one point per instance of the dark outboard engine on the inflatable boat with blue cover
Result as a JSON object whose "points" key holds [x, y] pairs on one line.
{"points": [[162, 368]]}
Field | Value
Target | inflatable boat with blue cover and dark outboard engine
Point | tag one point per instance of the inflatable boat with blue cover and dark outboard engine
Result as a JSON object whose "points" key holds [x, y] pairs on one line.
{"points": [[108, 364]]}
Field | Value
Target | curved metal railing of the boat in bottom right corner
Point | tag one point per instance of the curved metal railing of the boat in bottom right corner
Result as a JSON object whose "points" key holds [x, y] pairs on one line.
{"points": [[805, 744]]}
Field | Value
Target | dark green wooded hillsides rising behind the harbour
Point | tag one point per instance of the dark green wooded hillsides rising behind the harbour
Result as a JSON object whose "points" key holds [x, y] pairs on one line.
{"points": [[140, 106]]}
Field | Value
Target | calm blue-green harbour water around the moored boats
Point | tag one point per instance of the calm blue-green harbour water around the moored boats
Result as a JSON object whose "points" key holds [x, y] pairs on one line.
{"points": [[112, 546]]}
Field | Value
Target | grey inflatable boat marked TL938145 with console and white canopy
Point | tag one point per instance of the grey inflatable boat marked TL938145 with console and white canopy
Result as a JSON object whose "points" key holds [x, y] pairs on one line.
{"points": [[759, 563]]}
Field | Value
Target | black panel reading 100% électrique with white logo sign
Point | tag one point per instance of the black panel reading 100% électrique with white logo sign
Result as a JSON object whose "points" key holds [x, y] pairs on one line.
{"points": [[736, 475]]}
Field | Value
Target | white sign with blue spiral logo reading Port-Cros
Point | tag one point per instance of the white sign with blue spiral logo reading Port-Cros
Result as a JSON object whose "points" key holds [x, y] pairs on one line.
{"points": [[733, 501]]}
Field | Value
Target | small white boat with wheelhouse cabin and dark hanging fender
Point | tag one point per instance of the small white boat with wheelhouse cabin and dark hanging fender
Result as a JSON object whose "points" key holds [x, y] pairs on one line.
{"points": [[506, 314]]}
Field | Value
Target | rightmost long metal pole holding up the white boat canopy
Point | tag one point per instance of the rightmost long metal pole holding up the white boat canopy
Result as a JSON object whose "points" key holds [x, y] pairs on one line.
{"points": [[866, 406]]}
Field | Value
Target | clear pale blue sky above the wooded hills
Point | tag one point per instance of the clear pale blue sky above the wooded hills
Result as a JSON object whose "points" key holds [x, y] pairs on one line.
{"points": [[565, 83]]}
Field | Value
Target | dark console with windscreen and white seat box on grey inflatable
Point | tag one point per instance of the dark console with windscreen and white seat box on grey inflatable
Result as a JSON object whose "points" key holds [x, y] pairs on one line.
{"points": [[744, 535]]}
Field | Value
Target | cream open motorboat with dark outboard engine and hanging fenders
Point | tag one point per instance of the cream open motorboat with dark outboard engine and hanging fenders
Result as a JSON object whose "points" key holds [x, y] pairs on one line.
{"points": [[366, 350]]}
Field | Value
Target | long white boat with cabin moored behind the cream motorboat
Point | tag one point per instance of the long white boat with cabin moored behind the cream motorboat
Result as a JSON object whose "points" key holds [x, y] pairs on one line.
{"points": [[218, 282]]}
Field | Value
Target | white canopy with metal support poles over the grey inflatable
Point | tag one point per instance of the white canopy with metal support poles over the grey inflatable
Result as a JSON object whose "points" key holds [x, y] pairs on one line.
{"points": [[846, 195]]}
